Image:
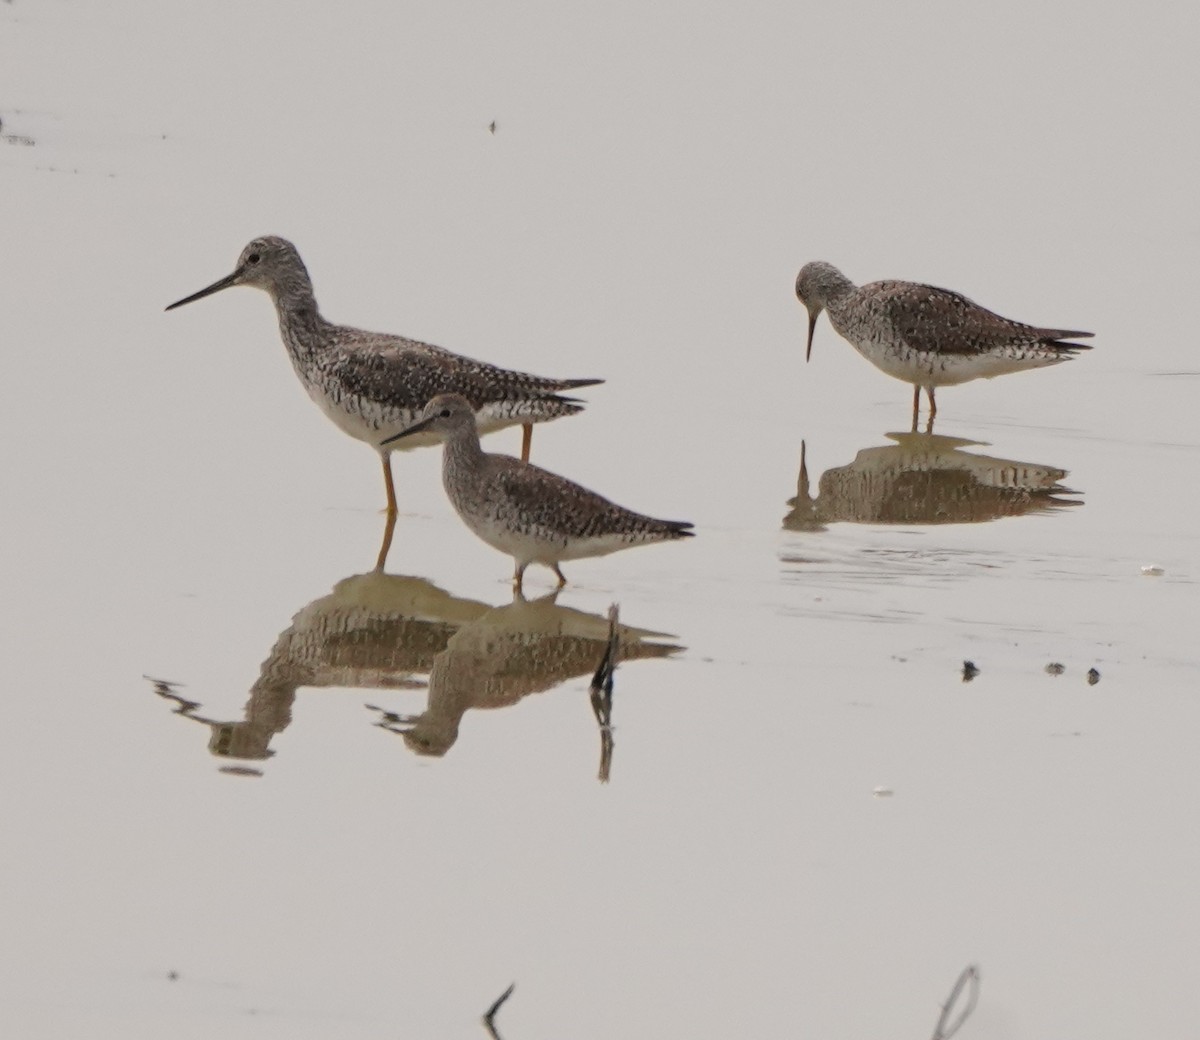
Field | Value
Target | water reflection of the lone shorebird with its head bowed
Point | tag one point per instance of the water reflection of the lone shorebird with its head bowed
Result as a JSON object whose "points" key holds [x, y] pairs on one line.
{"points": [[926, 479]]}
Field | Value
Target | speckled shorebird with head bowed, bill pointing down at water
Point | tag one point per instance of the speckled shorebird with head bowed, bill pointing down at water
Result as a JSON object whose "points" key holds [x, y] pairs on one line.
{"points": [[927, 336]]}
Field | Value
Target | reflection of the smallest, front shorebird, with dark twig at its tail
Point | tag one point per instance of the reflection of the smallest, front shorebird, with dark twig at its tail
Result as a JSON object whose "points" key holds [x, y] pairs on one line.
{"points": [[523, 648]]}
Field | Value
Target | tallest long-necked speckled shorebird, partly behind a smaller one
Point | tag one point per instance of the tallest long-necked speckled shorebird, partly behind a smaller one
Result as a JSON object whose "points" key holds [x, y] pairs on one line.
{"points": [[373, 384]]}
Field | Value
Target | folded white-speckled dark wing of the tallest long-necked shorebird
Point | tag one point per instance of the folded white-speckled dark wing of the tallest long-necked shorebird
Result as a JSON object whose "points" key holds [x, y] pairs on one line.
{"points": [[407, 372]]}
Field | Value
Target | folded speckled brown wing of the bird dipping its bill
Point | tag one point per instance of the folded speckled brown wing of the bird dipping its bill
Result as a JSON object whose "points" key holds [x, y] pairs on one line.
{"points": [[947, 323]]}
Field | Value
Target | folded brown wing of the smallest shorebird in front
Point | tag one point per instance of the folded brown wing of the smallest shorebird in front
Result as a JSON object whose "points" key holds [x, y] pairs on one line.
{"points": [[551, 503]]}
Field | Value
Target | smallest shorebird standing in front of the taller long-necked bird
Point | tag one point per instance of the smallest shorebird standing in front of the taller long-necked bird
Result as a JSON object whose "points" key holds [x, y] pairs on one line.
{"points": [[535, 516]]}
